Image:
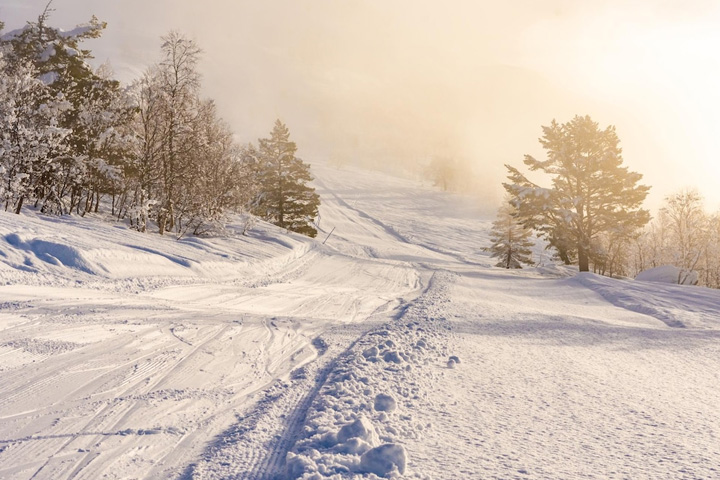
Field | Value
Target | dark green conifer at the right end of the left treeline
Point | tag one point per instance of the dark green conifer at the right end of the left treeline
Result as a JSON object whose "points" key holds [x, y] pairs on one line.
{"points": [[285, 199]]}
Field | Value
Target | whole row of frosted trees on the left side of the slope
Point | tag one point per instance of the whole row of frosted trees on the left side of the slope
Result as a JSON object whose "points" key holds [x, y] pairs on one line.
{"points": [[74, 140]]}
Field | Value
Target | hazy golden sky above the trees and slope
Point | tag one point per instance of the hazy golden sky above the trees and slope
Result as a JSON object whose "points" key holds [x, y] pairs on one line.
{"points": [[406, 79]]}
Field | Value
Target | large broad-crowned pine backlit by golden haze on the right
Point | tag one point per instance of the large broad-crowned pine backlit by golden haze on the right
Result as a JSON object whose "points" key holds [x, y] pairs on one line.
{"points": [[591, 192]]}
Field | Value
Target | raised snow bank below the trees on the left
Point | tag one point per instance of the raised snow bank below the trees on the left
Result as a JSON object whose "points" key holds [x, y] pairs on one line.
{"points": [[67, 250]]}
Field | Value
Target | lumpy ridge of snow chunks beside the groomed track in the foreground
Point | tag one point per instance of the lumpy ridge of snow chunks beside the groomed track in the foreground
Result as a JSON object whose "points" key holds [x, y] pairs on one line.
{"points": [[360, 417]]}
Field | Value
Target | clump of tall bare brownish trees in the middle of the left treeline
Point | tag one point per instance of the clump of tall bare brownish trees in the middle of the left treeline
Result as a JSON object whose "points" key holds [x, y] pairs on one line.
{"points": [[187, 173]]}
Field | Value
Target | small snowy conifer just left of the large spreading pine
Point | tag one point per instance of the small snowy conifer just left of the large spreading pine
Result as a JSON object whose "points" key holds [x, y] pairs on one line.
{"points": [[511, 242]]}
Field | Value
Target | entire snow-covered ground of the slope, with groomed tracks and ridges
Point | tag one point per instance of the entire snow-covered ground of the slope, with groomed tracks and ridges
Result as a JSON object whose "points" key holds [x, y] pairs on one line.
{"points": [[394, 349]]}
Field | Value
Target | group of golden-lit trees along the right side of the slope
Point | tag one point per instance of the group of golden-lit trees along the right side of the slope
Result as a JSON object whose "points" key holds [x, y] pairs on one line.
{"points": [[591, 214]]}
